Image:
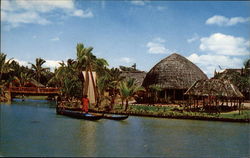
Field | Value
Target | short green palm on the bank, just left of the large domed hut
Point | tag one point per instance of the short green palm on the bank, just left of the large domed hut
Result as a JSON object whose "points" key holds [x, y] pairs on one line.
{"points": [[128, 90]]}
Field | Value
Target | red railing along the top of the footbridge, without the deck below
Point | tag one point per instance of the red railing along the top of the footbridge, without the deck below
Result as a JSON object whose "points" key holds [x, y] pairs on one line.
{"points": [[34, 90]]}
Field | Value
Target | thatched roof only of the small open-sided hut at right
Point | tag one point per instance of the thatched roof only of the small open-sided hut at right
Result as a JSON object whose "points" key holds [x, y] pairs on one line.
{"points": [[214, 87]]}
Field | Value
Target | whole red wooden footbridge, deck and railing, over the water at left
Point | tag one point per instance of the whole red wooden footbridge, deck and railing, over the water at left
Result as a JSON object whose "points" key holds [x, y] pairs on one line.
{"points": [[49, 91]]}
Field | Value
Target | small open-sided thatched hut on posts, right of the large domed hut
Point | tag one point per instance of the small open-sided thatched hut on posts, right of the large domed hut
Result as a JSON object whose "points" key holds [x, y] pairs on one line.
{"points": [[214, 92]]}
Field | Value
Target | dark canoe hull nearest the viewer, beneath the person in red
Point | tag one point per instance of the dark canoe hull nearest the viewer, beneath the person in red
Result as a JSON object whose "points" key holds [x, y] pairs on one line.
{"points": [[79, 114]]}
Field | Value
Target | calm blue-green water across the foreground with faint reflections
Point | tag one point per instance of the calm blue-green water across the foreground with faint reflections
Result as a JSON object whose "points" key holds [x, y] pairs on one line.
{"points": [[32, 128]]}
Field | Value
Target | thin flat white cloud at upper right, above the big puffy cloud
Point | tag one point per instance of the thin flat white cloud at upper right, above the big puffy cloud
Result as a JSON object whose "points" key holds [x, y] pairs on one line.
{"points": [[224, 21]]}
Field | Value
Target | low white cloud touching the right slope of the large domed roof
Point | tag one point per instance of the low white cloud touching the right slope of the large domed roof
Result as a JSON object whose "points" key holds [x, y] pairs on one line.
{"points": [[208, 63]]}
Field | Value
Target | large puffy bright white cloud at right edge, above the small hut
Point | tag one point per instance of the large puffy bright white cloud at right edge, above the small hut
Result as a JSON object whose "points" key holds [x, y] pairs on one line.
{"points": [[219, 43]]}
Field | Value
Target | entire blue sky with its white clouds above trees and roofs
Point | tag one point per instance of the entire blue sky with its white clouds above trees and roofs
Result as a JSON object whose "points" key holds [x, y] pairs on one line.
{"points": [[209, 33]]}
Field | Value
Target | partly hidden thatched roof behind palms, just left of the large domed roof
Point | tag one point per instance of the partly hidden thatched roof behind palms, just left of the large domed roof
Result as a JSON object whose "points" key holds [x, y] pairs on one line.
{"points": [[137, 75]]}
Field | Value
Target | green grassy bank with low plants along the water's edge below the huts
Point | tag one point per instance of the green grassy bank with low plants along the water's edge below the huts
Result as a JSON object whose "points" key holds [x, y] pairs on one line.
{"points": [[180, 113]]}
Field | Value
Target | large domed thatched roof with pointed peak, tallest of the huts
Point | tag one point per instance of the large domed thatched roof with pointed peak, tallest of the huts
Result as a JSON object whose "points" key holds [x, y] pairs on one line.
{"points": [[173, 72]]}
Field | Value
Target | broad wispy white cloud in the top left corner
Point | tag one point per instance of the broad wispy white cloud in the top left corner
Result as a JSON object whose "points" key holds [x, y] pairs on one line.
{"points": [[17, 12]]}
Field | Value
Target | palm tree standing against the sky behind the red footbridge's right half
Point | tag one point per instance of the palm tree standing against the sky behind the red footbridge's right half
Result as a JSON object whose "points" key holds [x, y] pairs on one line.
{"points": [[38, 69]]}
